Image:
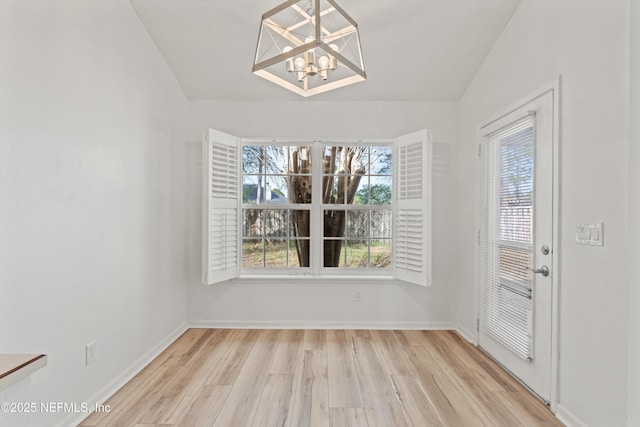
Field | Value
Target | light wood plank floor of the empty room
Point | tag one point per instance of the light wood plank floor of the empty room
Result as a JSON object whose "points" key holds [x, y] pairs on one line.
{"points": [[235, 378]]}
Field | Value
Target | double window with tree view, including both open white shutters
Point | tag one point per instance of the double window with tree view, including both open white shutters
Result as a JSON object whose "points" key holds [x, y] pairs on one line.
{"points": [[316, 208]]}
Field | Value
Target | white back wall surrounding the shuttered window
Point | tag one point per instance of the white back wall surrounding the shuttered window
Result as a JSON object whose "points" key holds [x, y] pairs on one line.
{"points": [[277, 303]]}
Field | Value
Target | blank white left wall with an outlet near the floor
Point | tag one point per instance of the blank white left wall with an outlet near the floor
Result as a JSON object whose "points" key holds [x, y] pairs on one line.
{"points": [[92, 176]]}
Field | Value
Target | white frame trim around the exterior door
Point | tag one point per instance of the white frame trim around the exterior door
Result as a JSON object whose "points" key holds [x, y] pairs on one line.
{"points": [[555, 89]]}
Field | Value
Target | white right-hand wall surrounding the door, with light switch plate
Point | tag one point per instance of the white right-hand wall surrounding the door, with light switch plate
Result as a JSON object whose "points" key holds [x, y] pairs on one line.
{"points": [[587, 42]]}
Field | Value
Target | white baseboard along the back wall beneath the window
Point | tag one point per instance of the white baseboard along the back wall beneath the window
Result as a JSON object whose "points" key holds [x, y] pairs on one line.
{"points": [[284, 324]]}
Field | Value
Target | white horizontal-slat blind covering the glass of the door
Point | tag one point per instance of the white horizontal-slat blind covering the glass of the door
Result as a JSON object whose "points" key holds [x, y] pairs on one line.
{"points": [[506, 236]]}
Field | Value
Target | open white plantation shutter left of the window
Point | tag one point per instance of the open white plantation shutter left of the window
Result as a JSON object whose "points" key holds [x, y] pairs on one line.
{"points": [[221, 186]]}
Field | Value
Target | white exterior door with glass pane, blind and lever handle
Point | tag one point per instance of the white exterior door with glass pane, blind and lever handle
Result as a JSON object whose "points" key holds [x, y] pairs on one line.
{"points": [[516, 242]]}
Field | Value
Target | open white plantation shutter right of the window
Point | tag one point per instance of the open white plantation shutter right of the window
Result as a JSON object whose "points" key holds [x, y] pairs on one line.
{"points": [[412, 216]]}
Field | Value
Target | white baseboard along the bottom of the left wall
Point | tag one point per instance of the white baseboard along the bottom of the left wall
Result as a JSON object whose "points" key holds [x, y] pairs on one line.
{"points": [[107, 391]]}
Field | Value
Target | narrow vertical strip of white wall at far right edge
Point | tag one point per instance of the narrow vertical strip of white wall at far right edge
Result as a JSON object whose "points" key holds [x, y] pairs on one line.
{"points": [[633, 397]]}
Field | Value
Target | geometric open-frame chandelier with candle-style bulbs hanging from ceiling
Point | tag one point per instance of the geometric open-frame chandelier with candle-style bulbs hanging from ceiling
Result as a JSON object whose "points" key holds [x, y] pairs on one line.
{"points": [[309, 47]]}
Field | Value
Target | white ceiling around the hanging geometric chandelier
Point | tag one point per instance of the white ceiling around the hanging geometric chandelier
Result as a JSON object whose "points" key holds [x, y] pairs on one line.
{"points": [[414, 50]]}
